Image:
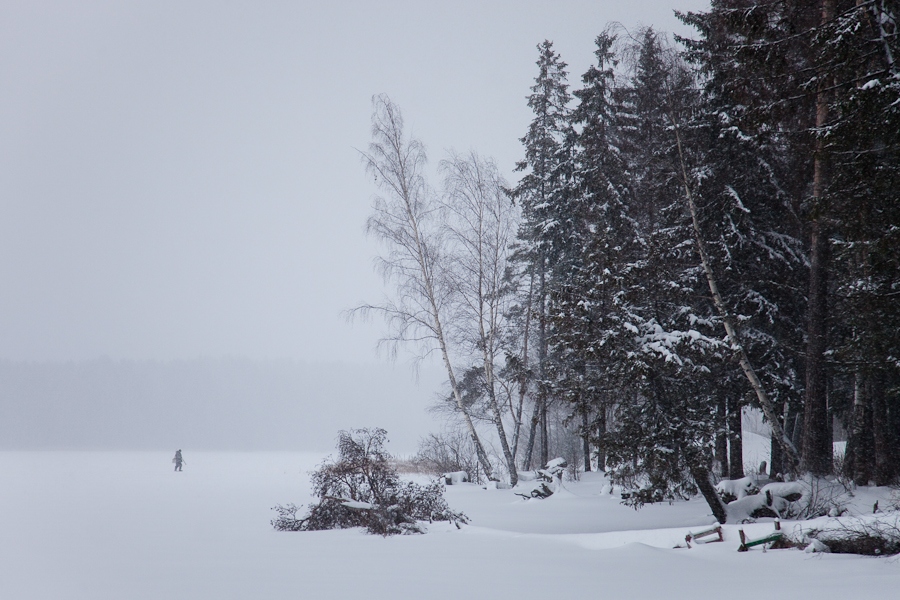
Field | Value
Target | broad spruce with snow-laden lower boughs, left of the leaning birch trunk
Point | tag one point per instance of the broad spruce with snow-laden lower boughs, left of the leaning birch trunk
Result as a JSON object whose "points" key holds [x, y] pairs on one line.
{"points": [[658, 328]]}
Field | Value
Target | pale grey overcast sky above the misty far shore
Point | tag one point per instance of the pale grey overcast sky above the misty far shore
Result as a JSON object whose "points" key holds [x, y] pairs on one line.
{"points": [[180, 179]]}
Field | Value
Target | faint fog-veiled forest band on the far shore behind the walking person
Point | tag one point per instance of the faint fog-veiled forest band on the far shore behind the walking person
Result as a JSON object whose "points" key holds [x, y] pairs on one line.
{"points": [[207, 404]]}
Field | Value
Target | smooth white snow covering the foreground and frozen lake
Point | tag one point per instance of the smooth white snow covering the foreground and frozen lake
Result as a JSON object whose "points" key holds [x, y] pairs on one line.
{"points": [[122, 525]]}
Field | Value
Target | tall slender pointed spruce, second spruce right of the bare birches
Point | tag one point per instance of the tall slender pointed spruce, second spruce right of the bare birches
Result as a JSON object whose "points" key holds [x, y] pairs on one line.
{"points": [[599, 234]]}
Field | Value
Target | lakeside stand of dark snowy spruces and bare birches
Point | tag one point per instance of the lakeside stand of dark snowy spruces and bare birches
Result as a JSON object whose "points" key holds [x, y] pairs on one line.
{"points": [[697, 229]]}
